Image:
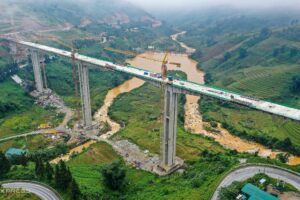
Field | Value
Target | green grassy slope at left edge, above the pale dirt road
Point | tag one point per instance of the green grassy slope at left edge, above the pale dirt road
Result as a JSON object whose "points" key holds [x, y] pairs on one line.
{"points": [[26, 116]]}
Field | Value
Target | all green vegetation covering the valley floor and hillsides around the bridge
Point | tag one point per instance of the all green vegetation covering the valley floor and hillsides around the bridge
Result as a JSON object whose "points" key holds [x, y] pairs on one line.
{"points": [[245, 54]]}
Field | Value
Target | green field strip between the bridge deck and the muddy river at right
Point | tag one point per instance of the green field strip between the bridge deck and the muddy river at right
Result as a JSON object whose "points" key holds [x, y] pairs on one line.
{"points": [[271, 131]]}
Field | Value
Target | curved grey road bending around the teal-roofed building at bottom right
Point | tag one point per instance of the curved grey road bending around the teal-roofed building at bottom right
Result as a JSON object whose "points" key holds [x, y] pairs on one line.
{"points": [[247, 172]]}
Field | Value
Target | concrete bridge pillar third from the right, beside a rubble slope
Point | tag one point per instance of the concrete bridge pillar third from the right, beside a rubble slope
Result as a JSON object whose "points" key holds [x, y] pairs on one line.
{"points": [[37, 70]]}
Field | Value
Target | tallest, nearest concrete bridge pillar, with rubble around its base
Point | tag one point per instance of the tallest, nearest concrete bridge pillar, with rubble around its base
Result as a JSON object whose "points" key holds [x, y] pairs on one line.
{"points": [[168, 139]]}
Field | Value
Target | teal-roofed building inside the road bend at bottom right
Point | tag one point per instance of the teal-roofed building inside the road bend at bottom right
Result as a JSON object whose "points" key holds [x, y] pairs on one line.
{"points": [[254, 193]]}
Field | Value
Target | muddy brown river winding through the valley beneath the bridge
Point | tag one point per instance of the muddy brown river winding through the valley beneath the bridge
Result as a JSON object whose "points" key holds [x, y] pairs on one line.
{"points": [[193, 119]]}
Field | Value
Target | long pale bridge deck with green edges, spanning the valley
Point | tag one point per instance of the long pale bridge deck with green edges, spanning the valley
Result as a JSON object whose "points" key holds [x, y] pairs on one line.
{"points": [[185, 86]]}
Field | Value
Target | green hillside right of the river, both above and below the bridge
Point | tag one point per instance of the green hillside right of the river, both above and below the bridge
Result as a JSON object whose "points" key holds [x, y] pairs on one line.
{"points": [[255, 58]]}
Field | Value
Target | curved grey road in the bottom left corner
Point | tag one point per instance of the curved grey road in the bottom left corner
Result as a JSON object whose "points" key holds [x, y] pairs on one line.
{"points": [[41, 191]]}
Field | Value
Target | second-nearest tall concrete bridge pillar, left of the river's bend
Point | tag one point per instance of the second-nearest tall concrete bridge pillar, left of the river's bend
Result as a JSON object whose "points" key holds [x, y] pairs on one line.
{"points": [[83, 72]]}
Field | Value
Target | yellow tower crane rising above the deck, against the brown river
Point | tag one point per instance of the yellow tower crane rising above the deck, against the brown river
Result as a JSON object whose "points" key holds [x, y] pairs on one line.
{"points": [[164, 62]]}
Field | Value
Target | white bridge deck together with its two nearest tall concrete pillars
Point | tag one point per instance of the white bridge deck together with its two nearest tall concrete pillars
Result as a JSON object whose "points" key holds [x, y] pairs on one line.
{"points": [[168, 143]]}
